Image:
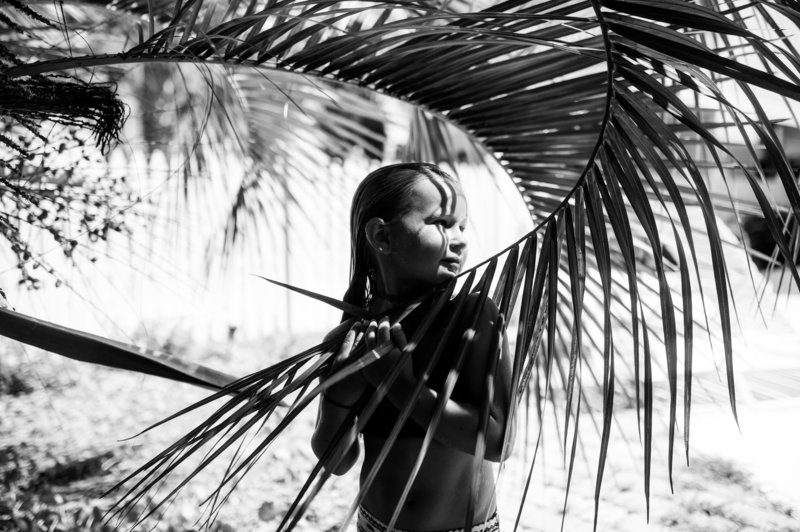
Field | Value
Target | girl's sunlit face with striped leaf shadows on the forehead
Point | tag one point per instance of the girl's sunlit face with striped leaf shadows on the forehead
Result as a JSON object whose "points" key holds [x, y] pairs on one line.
{"points": [[428, 245]]}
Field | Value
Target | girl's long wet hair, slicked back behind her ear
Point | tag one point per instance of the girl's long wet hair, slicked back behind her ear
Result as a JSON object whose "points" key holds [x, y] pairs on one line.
{"points": [[384, 193]]}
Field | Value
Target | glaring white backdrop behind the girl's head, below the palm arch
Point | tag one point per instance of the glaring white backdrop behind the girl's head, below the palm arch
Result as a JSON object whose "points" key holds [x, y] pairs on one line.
{"points": [[166, 284]]}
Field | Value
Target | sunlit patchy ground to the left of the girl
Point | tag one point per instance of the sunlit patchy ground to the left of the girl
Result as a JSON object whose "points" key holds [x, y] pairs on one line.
{"points": [[66, 437]]}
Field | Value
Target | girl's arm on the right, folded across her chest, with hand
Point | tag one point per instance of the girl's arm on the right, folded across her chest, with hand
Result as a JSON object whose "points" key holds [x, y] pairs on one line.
{"points": [[460, 420]]}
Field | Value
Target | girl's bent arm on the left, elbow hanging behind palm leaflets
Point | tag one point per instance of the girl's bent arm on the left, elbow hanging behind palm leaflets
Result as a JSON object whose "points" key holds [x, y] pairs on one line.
{"points": [[334, 409]]}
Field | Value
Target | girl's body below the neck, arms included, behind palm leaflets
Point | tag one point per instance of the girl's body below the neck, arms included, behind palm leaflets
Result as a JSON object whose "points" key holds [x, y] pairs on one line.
{"points": [[442, 490]]}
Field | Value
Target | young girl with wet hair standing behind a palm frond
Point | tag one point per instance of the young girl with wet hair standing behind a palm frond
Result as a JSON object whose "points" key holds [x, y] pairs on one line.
{"points": [[407, 234]]}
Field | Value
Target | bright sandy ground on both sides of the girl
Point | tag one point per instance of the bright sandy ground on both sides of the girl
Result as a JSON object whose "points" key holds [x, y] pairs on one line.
{"points": [[62, 444]]}
